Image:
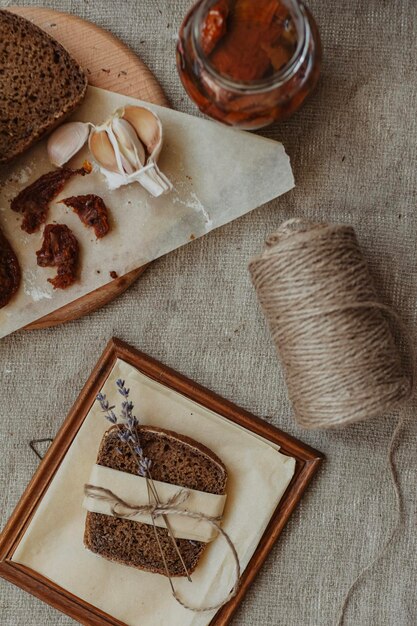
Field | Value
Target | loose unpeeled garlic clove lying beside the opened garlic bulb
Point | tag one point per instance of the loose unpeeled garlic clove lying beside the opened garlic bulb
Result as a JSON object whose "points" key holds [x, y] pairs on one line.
{"points": [[66, 141]]}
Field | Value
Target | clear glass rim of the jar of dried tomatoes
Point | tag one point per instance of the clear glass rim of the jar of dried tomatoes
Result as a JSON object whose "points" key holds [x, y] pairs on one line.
{"points": [[277, 79]]}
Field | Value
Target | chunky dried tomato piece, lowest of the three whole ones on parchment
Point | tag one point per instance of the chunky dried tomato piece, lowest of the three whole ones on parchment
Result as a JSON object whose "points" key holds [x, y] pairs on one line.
{"points": [[59, 249]]}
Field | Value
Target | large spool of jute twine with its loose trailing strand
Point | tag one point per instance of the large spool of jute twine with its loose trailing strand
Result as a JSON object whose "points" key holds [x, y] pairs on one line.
{"points": [[334, 337]]}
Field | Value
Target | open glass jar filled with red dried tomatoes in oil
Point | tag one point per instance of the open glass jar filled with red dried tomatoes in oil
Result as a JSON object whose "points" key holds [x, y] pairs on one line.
{"points": [[249, 63]]}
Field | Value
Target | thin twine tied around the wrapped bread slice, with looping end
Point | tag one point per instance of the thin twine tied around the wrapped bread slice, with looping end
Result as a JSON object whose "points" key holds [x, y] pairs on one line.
{"points": [[124, 509]]}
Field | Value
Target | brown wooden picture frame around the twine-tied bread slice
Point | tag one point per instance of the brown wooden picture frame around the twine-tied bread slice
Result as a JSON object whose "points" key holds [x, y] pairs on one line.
{"points": [[307, 463]]}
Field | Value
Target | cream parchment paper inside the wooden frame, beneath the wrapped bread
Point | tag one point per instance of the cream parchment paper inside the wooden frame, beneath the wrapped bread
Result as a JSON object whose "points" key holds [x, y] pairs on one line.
{"points": [[258, 475]]}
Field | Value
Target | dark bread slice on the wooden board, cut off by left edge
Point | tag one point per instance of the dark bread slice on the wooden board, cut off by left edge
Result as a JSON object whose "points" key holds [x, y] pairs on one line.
{"points": [[40, 84]]}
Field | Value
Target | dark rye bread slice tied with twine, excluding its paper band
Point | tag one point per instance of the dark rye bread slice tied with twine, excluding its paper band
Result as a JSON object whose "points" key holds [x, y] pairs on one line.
{"points": [[176, 459]]}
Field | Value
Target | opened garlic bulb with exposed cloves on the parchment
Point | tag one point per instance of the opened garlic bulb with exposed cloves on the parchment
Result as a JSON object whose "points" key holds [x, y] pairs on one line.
{"points": [[126, 148]]}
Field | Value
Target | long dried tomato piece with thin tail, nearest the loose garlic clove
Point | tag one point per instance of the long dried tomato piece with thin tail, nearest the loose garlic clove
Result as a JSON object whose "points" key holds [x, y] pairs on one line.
{"points": [[33, 201]]}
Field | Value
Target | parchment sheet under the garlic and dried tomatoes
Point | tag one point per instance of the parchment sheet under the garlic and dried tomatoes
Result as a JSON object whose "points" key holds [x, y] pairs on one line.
{"points": [[218, 175]]}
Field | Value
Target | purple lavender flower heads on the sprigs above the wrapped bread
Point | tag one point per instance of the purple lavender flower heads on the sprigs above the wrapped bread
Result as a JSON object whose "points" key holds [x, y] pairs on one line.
{"points": [[128, 427]]}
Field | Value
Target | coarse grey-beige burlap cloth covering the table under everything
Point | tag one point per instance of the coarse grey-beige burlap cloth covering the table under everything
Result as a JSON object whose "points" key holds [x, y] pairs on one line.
{"points": [[353, 148]]}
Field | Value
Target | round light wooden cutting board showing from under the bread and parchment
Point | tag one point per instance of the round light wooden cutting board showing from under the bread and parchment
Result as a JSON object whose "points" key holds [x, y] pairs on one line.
{"points": [[111, 65]]}
